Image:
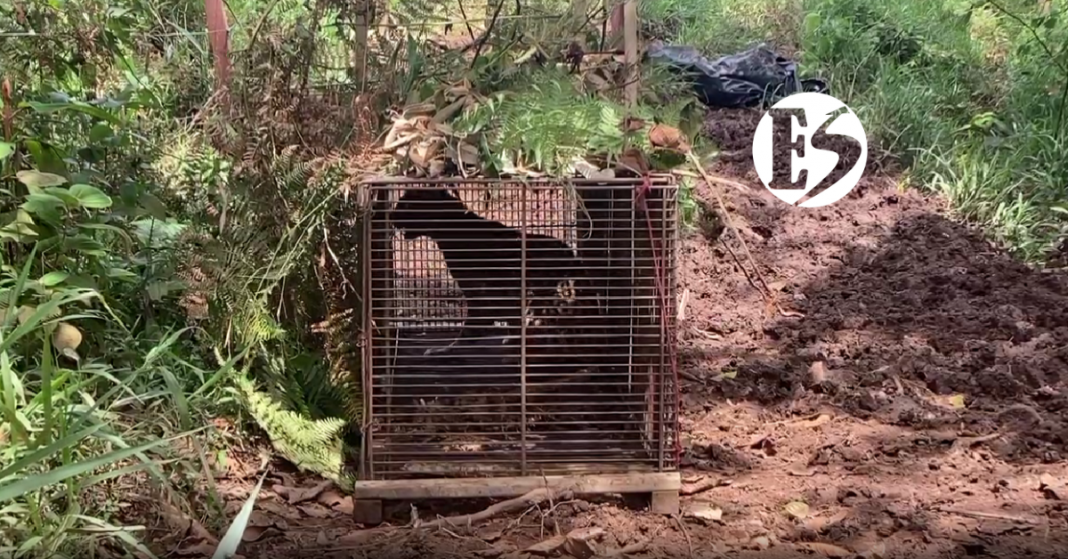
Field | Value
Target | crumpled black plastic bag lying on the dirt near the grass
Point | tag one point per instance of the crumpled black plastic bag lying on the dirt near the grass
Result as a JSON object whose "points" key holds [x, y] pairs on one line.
{"points": [[745, 80]]}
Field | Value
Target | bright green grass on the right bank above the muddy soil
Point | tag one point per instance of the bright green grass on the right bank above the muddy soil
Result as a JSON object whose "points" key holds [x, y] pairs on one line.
{"points": [[970, 97]]}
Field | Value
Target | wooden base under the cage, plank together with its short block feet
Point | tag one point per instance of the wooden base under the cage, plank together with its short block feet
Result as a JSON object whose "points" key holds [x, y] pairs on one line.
{"points": [[663, 488]]}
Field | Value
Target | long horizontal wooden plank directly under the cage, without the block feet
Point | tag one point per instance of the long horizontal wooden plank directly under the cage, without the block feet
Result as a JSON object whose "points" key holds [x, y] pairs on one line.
{"points": [[497, 488]]}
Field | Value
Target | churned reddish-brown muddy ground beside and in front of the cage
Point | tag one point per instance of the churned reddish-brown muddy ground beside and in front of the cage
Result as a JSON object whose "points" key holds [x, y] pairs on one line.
{"points": [[912, 394]]}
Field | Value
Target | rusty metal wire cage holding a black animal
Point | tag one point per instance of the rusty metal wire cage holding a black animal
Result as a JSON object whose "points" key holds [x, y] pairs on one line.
{"points": [[520, 329]]}
